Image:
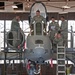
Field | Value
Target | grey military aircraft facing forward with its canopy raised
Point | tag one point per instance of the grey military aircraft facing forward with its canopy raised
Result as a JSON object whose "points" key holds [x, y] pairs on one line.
{"points": [[38, 43]]}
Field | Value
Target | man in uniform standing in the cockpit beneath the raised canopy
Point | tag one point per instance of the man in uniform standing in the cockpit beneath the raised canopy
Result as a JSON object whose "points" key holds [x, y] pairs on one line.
{"points": [[38, 19]]}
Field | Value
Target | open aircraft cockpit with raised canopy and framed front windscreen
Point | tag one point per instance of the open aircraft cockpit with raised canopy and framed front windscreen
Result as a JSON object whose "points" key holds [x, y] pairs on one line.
{"points": [[38, 25]]}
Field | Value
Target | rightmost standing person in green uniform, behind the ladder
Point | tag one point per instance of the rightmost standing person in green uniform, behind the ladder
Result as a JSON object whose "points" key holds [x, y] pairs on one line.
{"points": [[64, 29]]}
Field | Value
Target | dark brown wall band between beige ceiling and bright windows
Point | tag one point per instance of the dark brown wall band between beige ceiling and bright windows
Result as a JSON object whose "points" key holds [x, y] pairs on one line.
{"points": [[24, 16]]}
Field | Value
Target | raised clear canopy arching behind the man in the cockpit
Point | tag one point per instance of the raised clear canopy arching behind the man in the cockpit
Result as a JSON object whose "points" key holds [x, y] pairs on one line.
{"points": [[38, 6]]}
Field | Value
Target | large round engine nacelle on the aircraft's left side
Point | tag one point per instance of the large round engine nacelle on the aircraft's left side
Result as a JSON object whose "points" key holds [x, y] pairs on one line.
{"points": [[14, 40]]}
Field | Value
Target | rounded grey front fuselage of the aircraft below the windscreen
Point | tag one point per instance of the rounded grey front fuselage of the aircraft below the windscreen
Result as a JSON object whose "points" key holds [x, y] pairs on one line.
{"points": [[35, 51]]}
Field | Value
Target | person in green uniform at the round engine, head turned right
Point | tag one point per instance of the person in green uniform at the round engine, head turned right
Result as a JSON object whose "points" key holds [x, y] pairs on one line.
{"points": [[15, 28]]}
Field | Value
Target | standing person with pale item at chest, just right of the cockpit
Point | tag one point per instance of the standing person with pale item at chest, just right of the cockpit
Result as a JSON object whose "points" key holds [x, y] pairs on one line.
{"points": [[52, 29]]}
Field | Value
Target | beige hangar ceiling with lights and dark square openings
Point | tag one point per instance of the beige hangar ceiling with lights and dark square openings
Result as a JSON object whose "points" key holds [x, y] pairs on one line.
{"points": [[51, 5]]}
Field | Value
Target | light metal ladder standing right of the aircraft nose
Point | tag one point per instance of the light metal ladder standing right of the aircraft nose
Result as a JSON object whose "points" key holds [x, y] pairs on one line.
{"points": [[61, 67]]}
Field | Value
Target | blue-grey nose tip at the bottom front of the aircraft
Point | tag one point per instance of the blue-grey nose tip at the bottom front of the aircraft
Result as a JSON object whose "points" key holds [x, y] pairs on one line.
{"points": [[38, 54]]}
